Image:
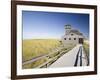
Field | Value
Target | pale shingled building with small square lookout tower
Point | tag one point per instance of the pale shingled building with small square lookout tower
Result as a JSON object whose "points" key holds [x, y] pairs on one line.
{"points": [[72, 36]]}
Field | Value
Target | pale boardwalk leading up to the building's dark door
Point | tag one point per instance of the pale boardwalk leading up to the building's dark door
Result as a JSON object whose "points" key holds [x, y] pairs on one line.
{"points": [[75, 57]]}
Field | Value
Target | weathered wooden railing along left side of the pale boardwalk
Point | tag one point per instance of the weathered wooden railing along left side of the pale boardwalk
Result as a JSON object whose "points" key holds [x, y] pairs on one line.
{"points": [[60, 51]]}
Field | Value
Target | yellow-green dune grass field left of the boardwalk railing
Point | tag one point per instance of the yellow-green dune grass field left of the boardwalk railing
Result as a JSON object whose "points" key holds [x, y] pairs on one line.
{"points": [[37, 47]]}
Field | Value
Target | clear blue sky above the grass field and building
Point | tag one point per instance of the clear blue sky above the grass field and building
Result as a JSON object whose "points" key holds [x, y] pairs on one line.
{"points": [[44, 25]]}
